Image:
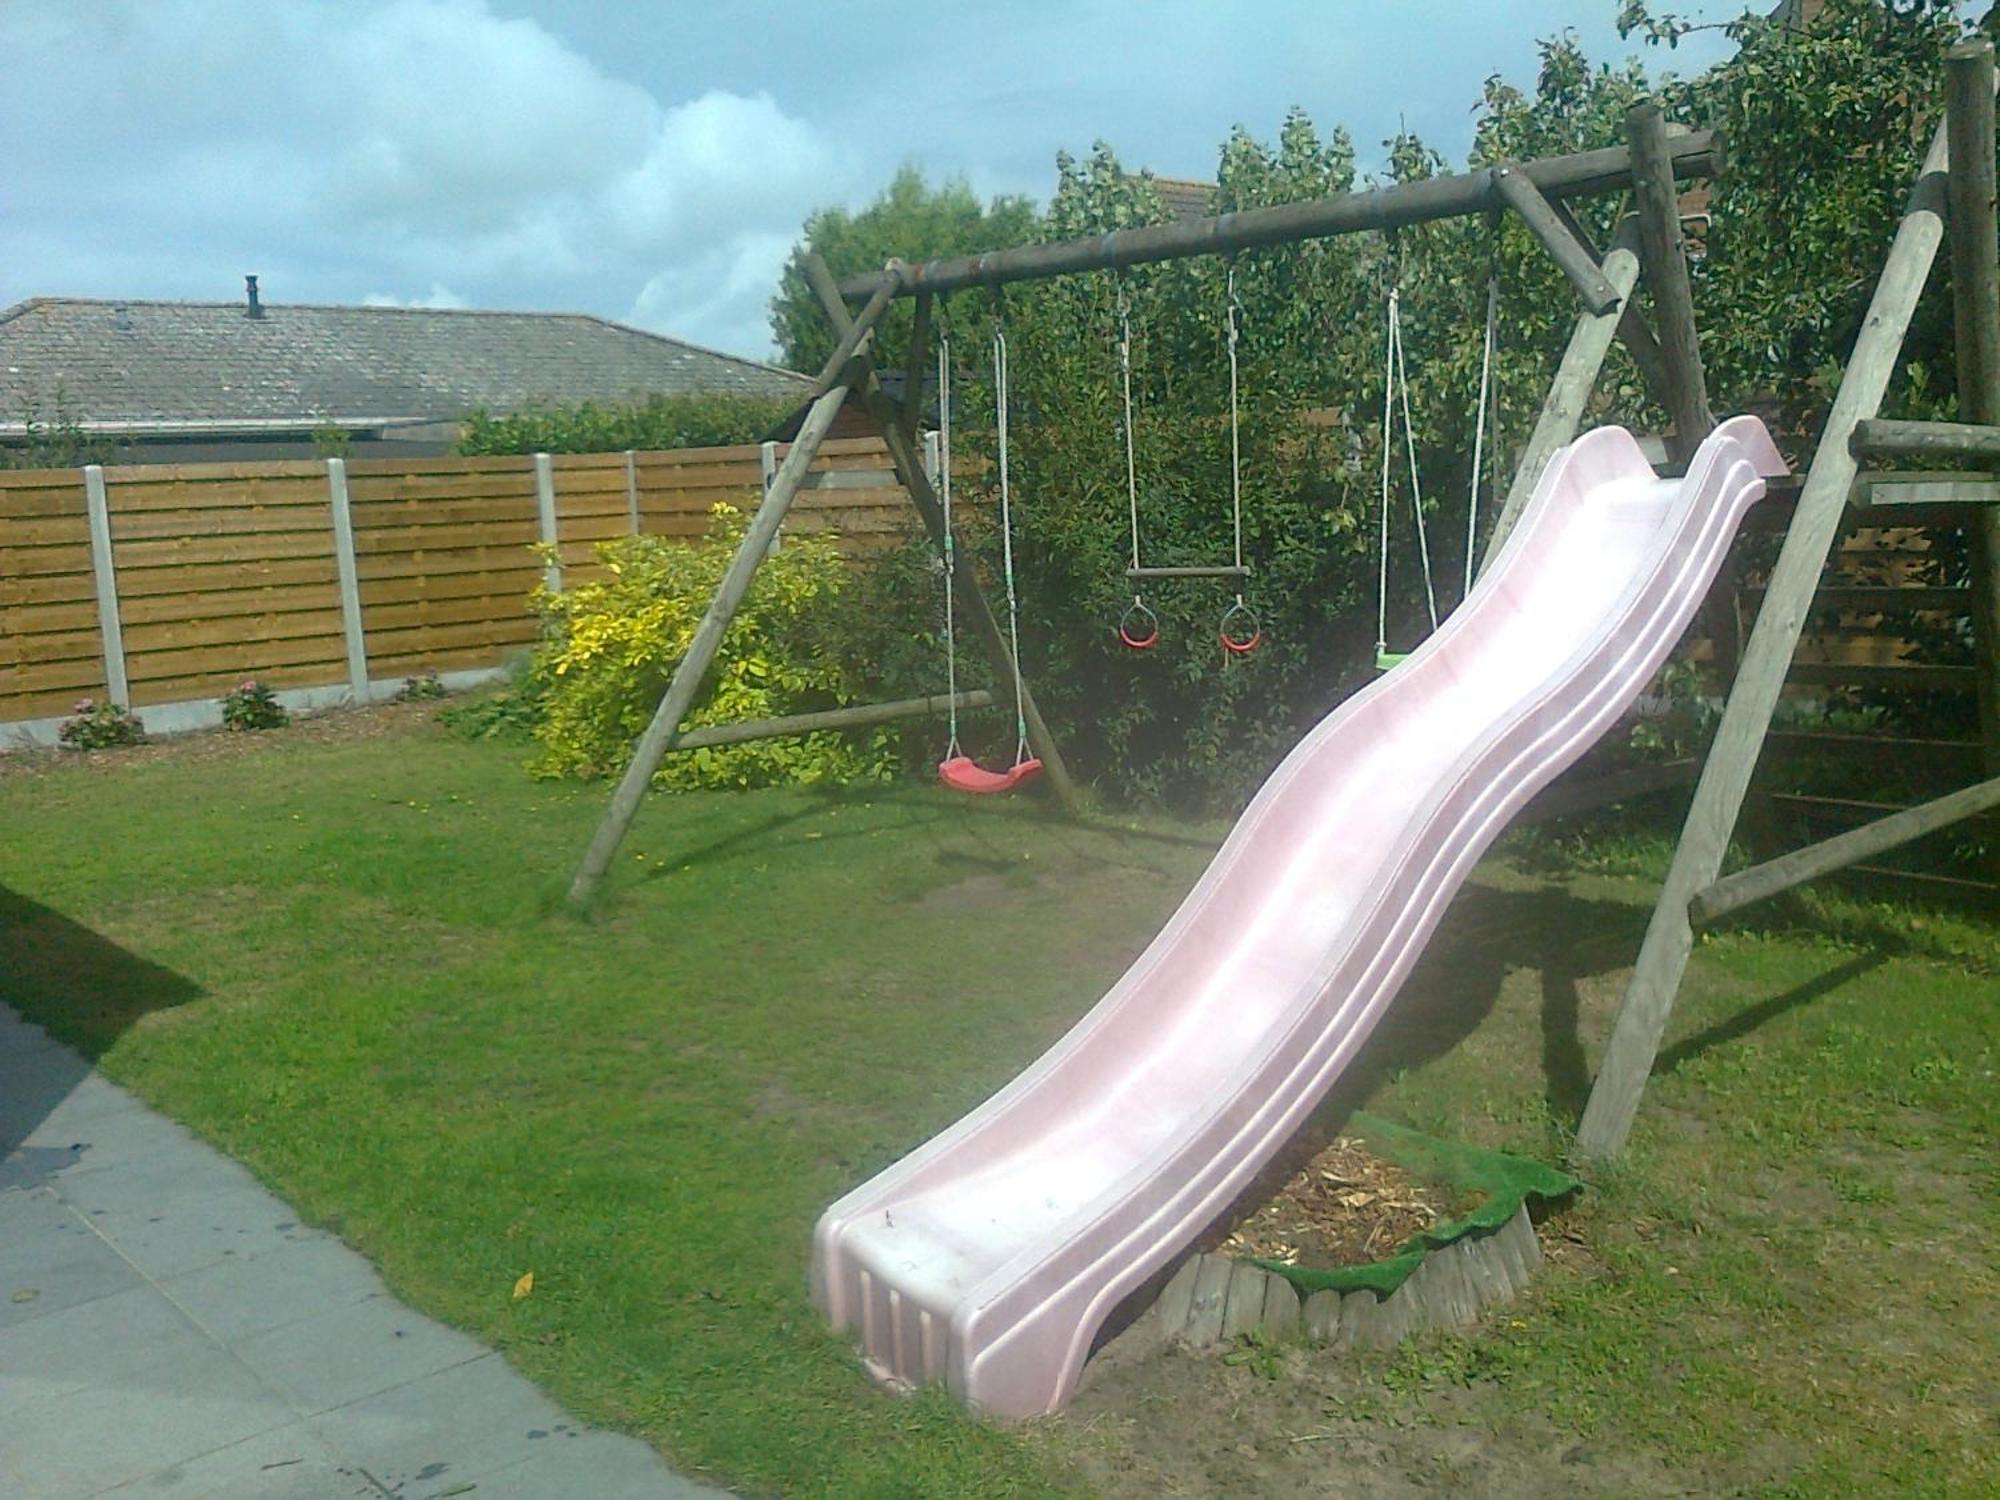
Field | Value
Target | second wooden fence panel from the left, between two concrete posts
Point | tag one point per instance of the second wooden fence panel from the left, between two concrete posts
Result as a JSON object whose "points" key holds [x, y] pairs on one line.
{"points": [[225, 573]]}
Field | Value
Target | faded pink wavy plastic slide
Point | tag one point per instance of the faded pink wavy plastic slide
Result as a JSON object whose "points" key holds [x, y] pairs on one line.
{"points": [[993, 1255]]}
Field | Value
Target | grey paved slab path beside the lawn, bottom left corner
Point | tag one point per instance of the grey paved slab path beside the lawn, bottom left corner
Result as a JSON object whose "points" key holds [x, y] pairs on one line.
{"points": [[171, 1331]]}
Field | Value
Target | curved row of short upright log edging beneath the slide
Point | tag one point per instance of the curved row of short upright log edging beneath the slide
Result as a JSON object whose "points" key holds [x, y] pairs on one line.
{"points": [[1213, 1299]]}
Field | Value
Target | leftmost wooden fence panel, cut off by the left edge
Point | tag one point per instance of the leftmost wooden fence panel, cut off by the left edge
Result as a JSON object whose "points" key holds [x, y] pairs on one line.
{"points": [[51, 653]]}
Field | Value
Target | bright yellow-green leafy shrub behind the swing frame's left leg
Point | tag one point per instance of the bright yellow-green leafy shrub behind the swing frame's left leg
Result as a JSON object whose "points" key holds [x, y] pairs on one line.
{"points": [[611, 647]]}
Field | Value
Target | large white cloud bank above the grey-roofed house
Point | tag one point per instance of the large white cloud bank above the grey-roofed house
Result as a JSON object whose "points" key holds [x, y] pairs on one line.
{"points": [[373, 145]]}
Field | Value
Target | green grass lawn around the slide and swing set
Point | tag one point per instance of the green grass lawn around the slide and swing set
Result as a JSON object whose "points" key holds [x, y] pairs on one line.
{"points": [[343, 959]]}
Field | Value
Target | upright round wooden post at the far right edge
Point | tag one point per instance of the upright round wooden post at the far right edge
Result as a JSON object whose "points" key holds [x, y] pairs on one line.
{"points": [[1969, 95]]}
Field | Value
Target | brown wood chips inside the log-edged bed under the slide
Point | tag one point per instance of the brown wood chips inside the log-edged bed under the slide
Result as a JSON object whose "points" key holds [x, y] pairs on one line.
{"points": [[1345, 1207]]}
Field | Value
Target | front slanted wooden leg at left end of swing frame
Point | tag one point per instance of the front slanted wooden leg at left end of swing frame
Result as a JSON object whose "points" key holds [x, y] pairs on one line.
{"points": [[665, 729]]}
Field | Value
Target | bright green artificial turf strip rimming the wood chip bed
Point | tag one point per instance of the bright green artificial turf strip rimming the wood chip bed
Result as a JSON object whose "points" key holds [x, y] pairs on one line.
{"points": [[1503, 1181]]}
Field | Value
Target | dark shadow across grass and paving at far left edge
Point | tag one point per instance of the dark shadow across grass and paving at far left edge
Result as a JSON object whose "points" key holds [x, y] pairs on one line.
{"points": [[85, 991]]}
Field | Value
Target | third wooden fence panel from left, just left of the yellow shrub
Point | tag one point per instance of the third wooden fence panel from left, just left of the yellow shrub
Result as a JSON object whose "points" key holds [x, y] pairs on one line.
{"points": [[445, 563]]}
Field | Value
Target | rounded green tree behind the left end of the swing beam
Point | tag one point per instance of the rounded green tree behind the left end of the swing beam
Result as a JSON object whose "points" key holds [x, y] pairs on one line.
{"points": [[911, 221]]}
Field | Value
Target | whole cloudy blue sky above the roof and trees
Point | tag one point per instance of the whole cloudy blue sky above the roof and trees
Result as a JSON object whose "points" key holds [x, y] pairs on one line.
{"points": [[653, 161]]}
